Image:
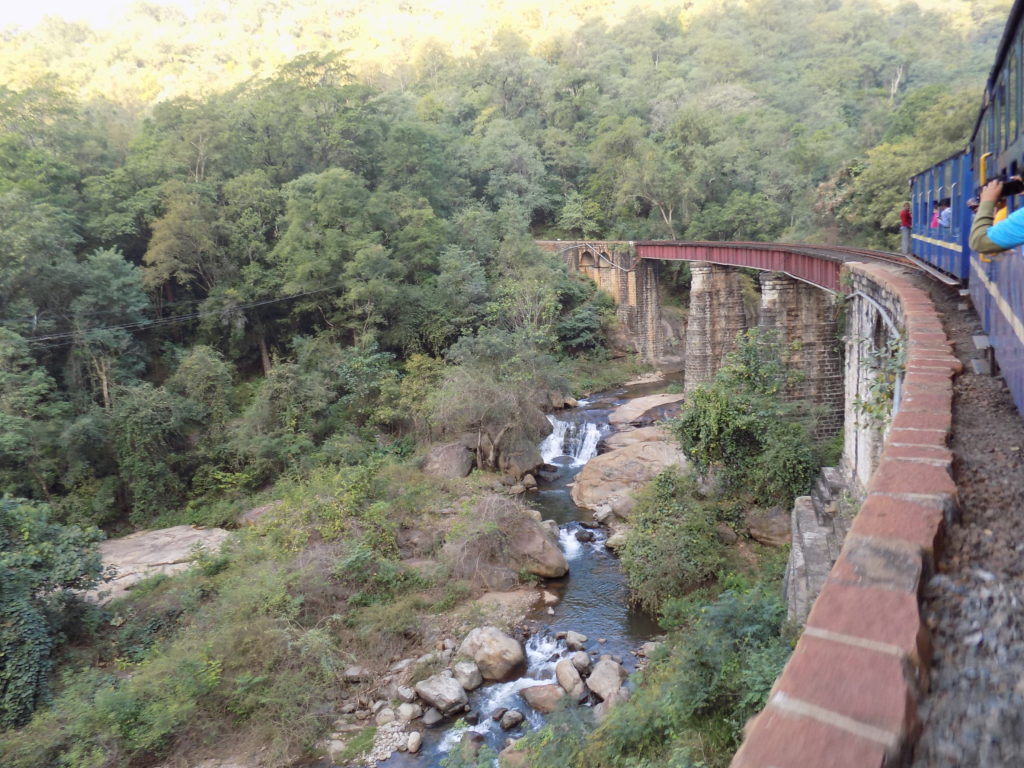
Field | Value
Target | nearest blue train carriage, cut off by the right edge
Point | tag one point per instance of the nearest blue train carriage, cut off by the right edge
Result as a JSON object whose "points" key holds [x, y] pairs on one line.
{"points": [[998, 284]]}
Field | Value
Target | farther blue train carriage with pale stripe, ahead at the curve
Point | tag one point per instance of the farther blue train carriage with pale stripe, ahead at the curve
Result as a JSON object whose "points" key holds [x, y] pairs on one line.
{"points": [[944, 247]]}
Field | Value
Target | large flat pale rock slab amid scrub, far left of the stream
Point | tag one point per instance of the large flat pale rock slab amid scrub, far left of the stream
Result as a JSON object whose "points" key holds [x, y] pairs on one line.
{"points": [[148, 553]]}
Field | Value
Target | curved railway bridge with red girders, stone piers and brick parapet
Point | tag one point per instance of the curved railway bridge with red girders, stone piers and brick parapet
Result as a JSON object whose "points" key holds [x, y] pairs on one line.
{"points": [[849, 695]]}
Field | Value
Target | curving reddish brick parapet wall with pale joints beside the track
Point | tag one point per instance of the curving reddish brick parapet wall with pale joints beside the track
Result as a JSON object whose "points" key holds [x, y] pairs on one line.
{"points": [[848, 696]]}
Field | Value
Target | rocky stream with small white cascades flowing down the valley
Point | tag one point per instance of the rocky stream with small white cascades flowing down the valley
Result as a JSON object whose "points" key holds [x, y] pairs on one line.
{"points": [[593, 599]]}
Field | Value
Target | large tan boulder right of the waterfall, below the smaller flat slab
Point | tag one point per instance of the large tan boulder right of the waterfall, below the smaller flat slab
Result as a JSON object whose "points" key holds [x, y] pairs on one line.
{"points": [[610, 480]]}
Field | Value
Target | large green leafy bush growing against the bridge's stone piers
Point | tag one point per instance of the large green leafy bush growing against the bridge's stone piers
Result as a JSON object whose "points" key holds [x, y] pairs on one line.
{"points": [[739, 426]]}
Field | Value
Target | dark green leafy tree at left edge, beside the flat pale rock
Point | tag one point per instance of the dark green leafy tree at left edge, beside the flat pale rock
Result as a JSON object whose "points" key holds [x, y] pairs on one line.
{"points": [[42, 566]]}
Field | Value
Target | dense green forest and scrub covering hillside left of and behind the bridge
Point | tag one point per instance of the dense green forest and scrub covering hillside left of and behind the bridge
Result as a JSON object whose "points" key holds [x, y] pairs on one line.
{"points": [[279, 246]]}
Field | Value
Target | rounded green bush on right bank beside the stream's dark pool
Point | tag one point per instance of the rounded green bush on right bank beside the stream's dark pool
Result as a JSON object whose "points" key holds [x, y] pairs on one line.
{"points": [[672, 547]]}
